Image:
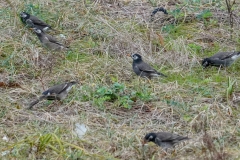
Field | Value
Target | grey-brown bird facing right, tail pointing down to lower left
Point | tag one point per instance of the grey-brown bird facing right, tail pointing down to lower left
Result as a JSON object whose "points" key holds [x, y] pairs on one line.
{"points": [[57, 92]]}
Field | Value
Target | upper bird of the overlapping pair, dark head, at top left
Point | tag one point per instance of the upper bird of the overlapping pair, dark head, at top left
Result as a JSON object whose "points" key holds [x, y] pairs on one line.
{"points": [[32, 21]]}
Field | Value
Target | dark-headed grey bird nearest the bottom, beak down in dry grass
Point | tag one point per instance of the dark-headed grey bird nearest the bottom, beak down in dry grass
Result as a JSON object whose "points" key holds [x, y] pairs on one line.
{"points": [[164, 139]]}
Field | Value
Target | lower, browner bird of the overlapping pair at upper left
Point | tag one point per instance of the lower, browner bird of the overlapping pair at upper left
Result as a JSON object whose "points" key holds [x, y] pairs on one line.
{"points": [[49, 41]]}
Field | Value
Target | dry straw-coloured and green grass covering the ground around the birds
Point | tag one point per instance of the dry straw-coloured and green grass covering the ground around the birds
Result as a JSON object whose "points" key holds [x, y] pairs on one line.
{"points": [[118, 107]]}
